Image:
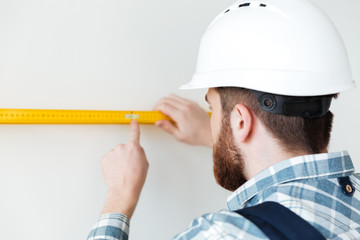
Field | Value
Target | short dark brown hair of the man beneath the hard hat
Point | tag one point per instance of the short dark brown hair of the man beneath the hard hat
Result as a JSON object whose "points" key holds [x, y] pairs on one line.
{"points": [[311, 135]]}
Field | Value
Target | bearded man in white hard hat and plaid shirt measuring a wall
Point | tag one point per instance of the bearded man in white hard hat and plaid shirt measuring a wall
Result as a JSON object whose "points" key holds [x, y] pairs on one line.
{"points": [[272, 69]]}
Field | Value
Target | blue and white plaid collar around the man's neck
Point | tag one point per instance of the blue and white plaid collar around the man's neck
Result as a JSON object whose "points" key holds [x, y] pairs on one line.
{"points": [[317, 166]]}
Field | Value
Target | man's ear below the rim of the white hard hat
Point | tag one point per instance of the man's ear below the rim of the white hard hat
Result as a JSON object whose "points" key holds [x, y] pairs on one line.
{"points": [[242, 122]]}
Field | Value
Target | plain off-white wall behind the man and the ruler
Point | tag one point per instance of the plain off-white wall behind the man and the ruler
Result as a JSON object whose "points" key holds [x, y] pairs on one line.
{"points": [[116, 55]]}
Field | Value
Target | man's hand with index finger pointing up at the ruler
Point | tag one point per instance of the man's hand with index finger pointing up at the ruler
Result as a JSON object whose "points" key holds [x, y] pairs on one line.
{"points": [[124, 169]]}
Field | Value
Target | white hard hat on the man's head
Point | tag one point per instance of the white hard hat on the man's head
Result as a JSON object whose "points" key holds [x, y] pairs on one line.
{"points": [[277, 46]]}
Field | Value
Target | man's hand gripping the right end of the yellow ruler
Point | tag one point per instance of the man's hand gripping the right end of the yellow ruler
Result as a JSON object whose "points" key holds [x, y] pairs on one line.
{"points": [[192, 123]]}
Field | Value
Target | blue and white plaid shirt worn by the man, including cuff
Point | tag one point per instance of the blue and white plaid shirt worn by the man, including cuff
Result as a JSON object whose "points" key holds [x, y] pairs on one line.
{"points": [[308, 185]]}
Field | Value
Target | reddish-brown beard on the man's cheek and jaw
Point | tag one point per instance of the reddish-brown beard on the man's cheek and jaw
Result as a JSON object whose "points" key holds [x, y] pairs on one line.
{"points": [[228, 160]]}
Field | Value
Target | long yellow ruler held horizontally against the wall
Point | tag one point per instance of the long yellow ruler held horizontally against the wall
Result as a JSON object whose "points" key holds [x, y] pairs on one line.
{"points": [[43, 116]]}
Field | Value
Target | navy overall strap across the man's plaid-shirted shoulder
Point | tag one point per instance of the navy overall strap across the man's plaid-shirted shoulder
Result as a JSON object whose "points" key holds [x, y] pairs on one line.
{"points": [[280, 223]]}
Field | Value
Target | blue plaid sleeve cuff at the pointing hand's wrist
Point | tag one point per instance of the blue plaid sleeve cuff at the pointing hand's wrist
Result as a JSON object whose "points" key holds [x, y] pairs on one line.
{"points": [[110, 226]]}
